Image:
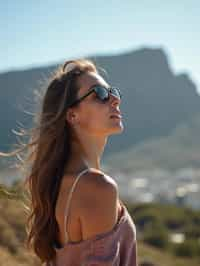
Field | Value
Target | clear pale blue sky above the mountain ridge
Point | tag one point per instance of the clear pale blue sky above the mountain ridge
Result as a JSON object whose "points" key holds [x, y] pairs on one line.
{"points": [[34, 33]]}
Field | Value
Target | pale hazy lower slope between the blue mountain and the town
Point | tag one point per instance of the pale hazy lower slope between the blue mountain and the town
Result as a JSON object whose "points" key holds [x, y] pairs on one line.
{"points": [[180, 149]]}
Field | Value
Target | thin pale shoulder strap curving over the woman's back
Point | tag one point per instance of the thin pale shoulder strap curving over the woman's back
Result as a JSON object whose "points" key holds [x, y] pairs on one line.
{"points": [[68, 202]]}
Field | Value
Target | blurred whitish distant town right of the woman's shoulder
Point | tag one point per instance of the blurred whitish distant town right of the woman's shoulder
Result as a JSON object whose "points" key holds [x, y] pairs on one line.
{"points": [[181, 187]]}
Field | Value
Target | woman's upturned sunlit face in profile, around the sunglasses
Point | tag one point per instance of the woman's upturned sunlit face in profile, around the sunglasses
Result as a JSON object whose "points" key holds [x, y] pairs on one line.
{"points": [[93, 116]]}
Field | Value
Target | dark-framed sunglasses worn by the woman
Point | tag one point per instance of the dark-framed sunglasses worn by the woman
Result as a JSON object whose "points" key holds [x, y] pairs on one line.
{"points": [[102, 93]]}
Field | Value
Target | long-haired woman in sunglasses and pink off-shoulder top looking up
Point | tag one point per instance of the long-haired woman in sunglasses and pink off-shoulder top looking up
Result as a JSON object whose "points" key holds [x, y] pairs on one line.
{"points": [[77, 217]]}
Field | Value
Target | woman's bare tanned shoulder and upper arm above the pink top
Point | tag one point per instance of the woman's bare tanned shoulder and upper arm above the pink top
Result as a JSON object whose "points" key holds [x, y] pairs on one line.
{"points": [[98, 206]]}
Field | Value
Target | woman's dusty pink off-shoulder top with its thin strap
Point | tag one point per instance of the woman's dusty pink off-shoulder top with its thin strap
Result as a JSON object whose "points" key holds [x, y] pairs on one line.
{"points": [[117, 247]]}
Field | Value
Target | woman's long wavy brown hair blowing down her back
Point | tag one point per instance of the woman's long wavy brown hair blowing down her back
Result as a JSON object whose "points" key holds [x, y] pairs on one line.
{"points": [[48, 150]]}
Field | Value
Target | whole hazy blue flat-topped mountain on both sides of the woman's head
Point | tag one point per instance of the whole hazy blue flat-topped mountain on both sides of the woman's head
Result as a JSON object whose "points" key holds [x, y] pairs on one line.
{"points": [[155, 100]]}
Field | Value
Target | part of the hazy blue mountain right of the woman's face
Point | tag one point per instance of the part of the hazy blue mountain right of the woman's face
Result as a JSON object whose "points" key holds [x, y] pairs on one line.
{"points": [[155, 99]]}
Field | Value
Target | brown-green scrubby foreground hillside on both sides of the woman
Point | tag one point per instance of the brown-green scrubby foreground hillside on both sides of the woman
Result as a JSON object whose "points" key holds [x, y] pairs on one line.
{"points": [[12, 221]]}
